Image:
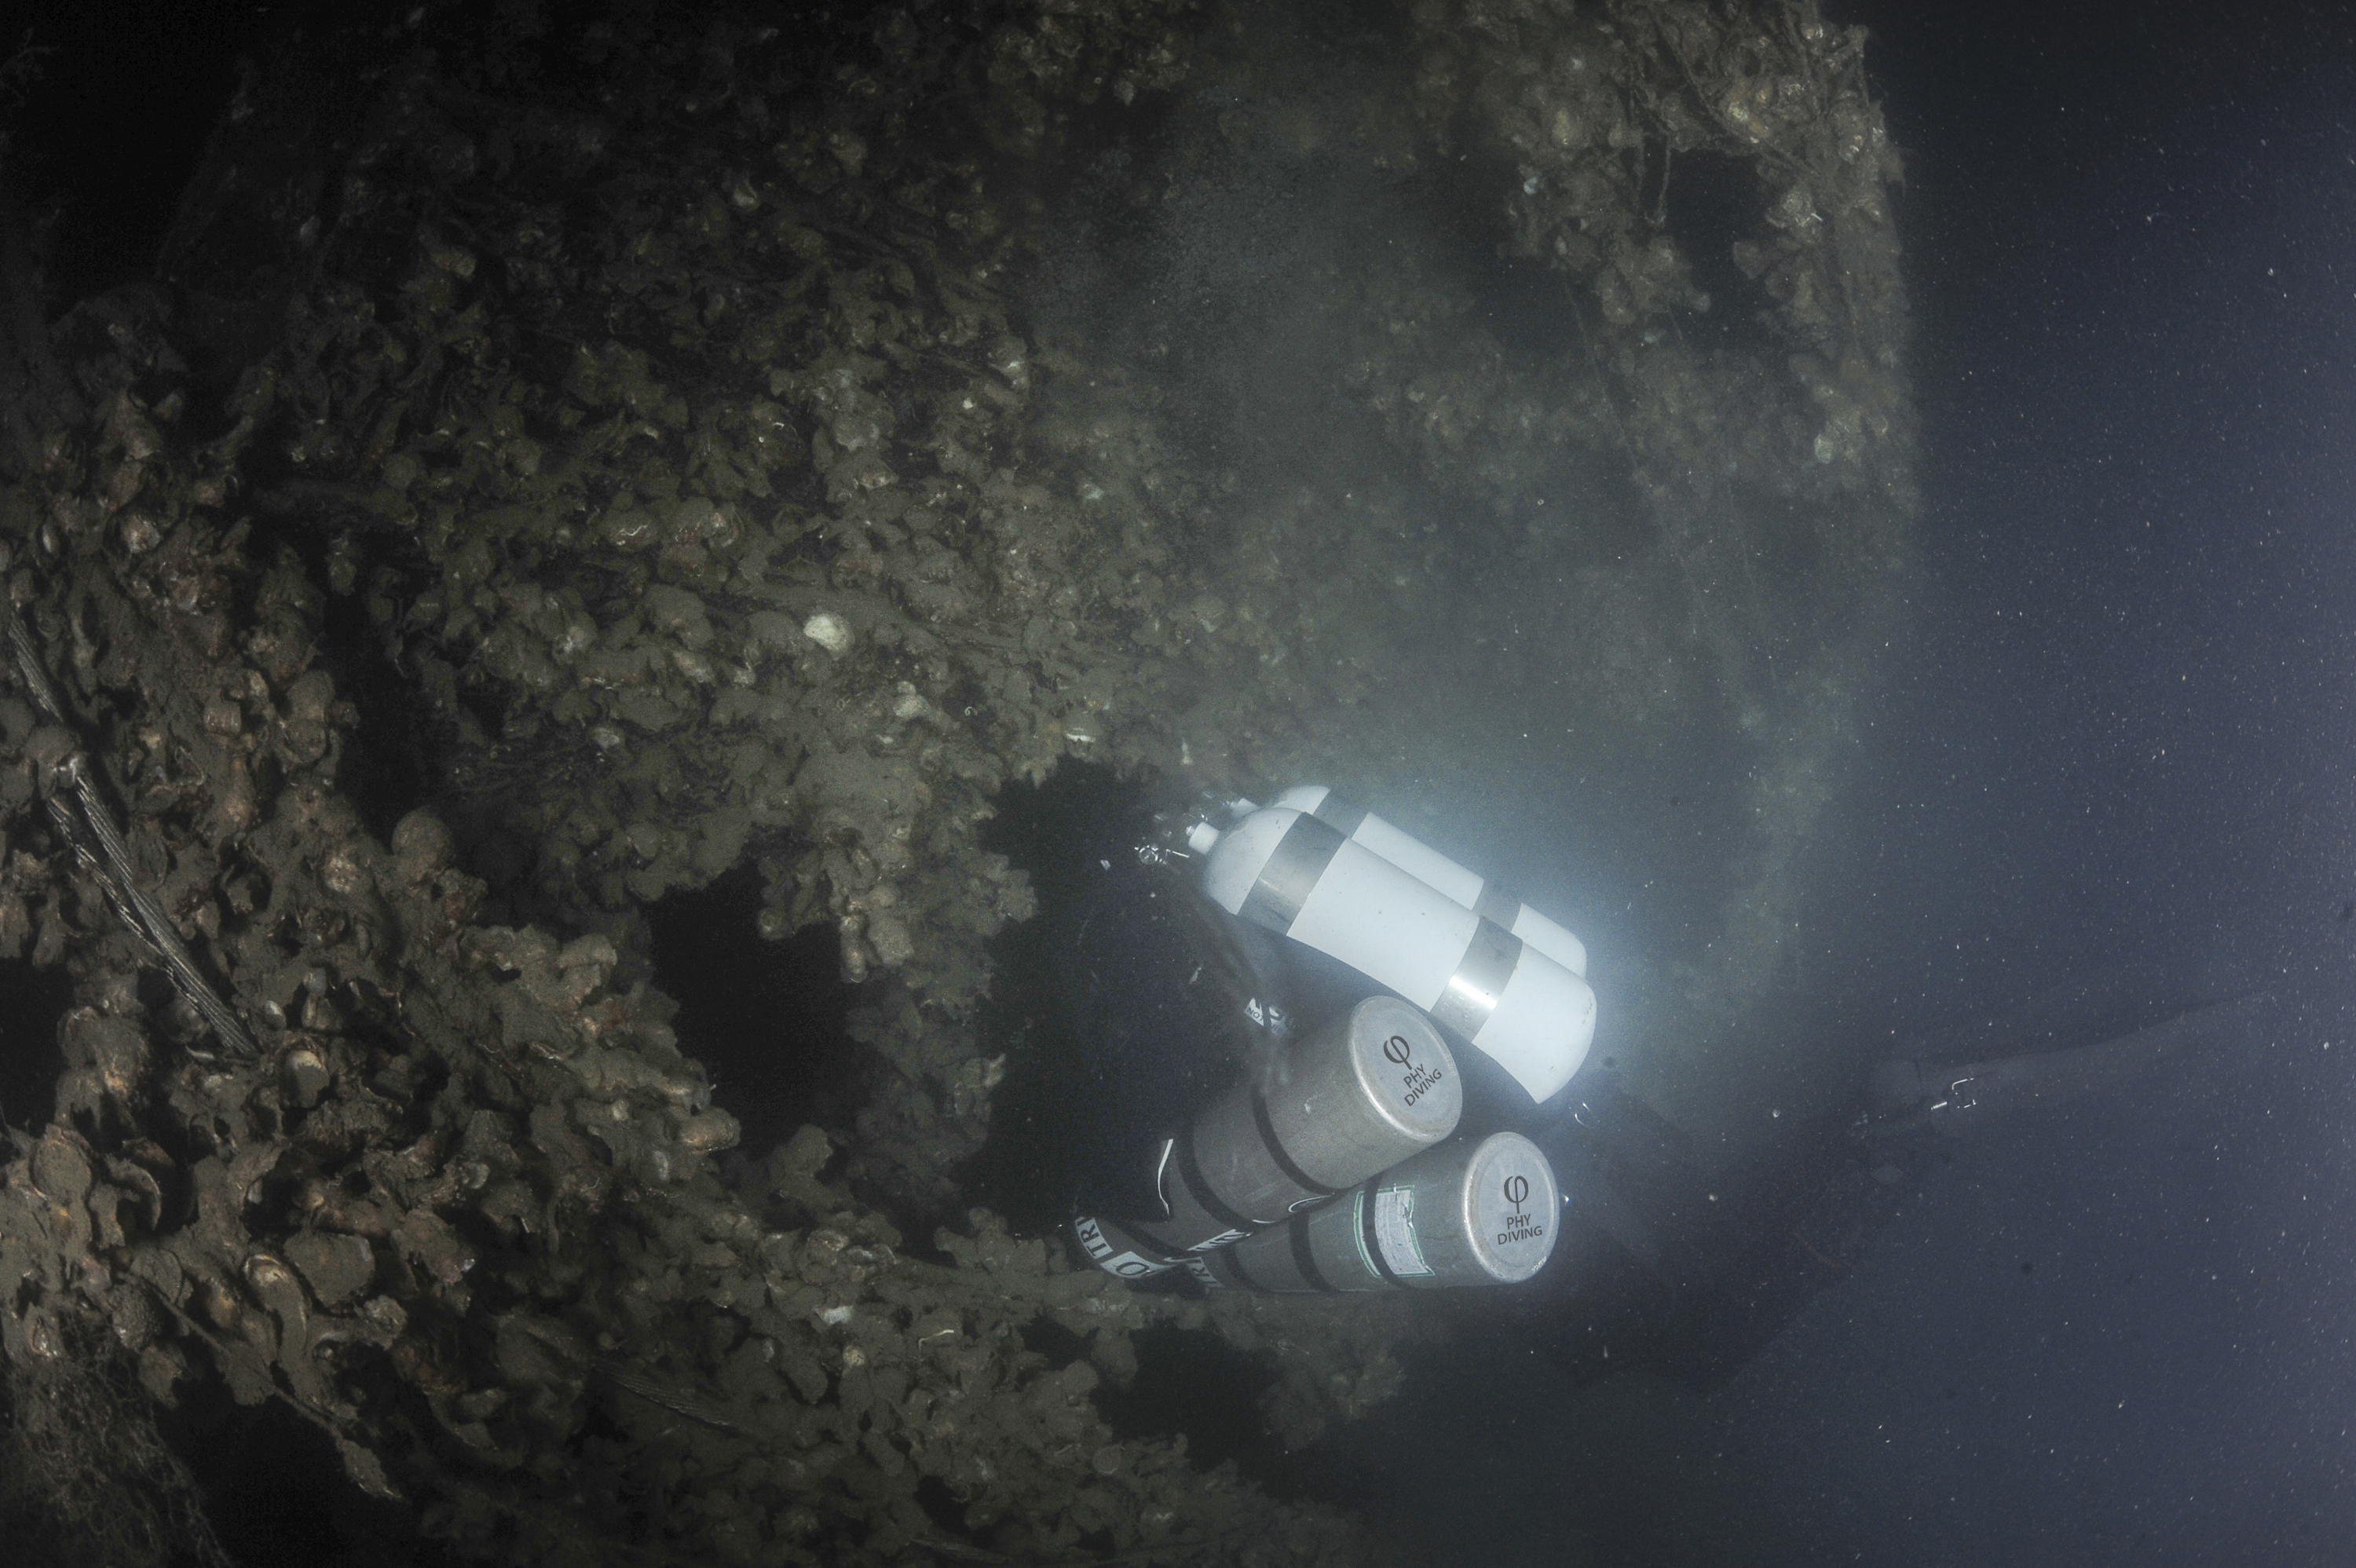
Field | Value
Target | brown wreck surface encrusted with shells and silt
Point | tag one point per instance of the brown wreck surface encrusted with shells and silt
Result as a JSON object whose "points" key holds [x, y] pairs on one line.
{"points": [[571, 463]]}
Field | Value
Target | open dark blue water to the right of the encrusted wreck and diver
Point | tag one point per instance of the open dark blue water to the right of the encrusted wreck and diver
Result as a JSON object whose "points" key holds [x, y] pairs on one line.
{"points": [[2122, 1331]]}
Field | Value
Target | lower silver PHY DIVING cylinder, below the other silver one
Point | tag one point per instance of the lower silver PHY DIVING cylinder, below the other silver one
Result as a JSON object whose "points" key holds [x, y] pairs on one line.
{"points": [[1455, 1216]]}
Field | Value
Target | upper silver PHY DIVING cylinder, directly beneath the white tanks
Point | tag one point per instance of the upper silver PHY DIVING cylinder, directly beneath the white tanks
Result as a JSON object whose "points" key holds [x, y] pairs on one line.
{"points": [[1335, 1108]]}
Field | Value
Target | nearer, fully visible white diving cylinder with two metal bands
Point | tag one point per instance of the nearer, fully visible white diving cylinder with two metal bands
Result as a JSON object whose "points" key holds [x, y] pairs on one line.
{"points": [[1306, 879]]}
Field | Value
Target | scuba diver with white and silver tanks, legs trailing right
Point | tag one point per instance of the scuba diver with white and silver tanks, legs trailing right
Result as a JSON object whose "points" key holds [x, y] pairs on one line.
{"points": [[1273, 1077]]}
